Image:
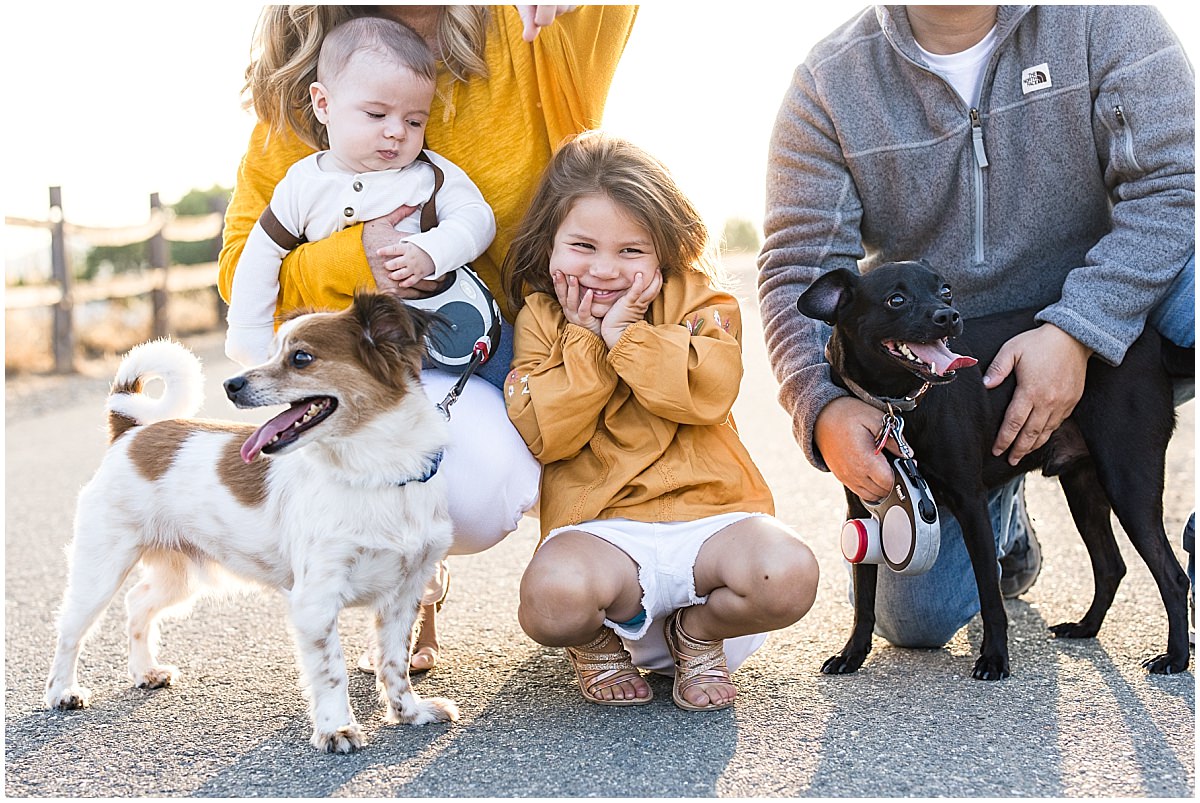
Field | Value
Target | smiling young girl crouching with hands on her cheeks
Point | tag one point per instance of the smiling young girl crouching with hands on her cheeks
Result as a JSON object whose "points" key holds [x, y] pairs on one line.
{"points": [[659, 549]]}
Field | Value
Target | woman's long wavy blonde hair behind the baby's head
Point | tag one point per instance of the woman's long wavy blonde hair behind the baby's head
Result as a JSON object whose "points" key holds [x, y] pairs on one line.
{"points": [[287, 45]]}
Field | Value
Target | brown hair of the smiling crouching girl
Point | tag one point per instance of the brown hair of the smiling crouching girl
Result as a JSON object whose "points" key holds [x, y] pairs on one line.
{"points": [[596, 164]]}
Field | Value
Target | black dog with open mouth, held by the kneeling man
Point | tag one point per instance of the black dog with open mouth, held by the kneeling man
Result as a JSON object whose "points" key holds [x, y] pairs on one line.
{"points": [[891, 340]]}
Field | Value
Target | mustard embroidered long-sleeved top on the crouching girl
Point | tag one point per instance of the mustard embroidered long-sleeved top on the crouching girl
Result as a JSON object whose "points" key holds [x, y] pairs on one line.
{"points": [[643, 432]]}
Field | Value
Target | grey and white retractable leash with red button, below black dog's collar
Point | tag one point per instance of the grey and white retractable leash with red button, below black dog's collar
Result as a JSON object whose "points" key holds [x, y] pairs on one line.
{"points": [[903, 531]]}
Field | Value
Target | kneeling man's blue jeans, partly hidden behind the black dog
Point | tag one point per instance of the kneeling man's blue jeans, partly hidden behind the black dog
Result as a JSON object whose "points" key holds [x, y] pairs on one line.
{"points": [[927, 610]]}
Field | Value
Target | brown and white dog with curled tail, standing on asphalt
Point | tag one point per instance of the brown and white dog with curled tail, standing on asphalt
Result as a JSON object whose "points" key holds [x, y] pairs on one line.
{"points": [[351, 510]]}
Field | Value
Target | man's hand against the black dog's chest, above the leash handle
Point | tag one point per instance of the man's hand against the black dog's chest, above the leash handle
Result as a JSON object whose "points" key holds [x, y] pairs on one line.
{"points": [[845, 435]]}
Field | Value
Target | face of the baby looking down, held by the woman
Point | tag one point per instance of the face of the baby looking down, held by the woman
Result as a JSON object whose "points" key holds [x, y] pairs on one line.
{"points": [[375, 112]]}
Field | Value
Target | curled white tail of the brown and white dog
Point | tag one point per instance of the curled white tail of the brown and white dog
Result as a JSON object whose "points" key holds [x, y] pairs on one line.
{"points": [[167, 361]]}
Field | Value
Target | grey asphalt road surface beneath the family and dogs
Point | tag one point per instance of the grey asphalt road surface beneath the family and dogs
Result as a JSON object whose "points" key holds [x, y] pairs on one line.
{"points": [[1076, 720]]}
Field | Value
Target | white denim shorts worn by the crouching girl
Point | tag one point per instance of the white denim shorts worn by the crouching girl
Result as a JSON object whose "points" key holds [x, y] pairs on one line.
{"points": [[665, 554]]}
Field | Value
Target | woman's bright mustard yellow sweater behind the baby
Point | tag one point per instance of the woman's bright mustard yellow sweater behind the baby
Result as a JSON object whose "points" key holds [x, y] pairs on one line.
{"points": [[501, 130]]}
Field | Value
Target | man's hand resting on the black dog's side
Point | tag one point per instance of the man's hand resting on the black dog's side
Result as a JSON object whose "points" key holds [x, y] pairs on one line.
{"points": [[1051, 369]]}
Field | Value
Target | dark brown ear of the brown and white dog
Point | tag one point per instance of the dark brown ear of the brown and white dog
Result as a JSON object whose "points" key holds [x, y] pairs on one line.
{"points": [[392, 345]]}
